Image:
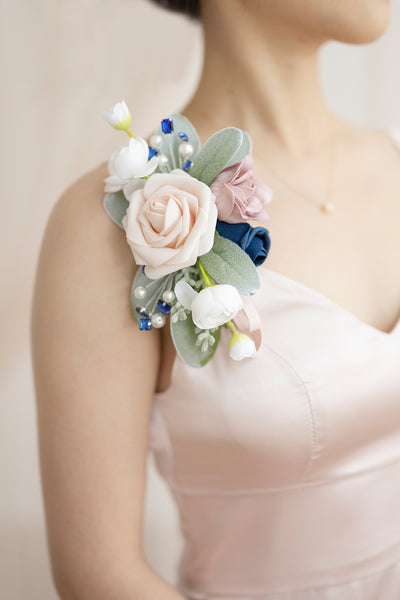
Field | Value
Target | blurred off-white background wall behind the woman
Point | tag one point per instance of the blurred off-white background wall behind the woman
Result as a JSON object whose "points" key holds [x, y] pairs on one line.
{"points": [[62, 65]]}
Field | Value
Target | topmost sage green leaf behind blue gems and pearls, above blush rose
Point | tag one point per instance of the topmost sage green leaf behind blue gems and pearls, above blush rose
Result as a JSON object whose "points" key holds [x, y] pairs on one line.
{"points": [[171, 141]]}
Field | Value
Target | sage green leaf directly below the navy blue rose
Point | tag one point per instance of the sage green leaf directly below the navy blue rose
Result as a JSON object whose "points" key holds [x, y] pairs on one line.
{"points": [[228, 263]]}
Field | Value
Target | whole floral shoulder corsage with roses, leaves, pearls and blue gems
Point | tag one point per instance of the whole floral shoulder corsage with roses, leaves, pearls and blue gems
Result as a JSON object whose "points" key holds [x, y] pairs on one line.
{"points": [[184, 209]]}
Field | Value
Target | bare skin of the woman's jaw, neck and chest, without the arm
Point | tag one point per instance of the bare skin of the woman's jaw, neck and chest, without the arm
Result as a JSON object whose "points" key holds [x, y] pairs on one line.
{"points": [[261, 74]]}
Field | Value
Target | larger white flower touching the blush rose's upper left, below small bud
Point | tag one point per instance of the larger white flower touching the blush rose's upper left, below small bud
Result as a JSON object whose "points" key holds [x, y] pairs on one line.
{"points": [[127, 163]]}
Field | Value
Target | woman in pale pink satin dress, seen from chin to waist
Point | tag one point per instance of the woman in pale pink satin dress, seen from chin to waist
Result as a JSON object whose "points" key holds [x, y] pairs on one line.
{"points": [[285, 468]]}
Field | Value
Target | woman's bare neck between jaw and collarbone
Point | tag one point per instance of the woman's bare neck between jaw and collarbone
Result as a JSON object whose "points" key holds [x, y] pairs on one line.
{"points": [[262, 76]]}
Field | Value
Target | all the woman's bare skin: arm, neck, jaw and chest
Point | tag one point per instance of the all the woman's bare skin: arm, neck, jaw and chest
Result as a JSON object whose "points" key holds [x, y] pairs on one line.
{"points": [[96, 373]]}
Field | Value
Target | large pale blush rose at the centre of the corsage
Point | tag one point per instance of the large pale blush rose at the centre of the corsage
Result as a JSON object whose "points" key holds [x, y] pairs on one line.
{"points": [[170, 222]]}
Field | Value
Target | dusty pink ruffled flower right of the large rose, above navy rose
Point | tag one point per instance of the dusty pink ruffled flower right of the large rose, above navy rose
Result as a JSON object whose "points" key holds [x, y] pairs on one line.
{"points": [[239, 197]]}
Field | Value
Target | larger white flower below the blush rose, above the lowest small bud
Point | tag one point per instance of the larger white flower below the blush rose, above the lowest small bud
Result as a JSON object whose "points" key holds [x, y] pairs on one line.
{"points": [[211, 307]]}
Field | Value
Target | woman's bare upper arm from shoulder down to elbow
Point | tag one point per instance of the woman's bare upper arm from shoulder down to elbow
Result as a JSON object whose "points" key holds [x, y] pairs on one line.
{"points": [[95, 374]]}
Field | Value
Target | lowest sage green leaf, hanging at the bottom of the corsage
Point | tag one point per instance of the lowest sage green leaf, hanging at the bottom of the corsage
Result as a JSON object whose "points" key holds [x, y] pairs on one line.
{"points": [[184, 336]]}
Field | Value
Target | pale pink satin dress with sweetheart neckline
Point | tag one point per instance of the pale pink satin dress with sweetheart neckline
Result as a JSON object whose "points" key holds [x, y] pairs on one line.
{"points": [[286, 468]]}
